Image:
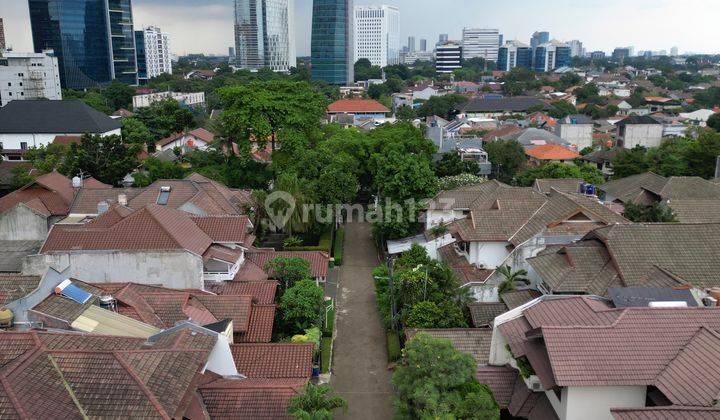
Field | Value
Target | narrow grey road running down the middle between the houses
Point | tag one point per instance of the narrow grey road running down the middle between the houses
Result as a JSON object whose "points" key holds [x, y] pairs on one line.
{"points": [[359, 367]]}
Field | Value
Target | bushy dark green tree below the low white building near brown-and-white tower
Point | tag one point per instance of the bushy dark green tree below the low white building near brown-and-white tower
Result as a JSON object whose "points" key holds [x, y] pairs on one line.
{"points": [[164, 118]]}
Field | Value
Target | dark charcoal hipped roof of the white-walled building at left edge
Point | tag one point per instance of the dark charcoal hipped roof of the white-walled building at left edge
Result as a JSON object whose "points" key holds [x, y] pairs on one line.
{"points": [[53, 117]]}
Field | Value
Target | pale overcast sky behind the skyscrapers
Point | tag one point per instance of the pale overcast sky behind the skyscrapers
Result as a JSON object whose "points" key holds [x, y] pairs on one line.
{"points": [[207, 26]]}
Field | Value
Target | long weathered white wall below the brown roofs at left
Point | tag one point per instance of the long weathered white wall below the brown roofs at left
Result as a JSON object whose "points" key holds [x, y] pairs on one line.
{"points": [[174, 269]]}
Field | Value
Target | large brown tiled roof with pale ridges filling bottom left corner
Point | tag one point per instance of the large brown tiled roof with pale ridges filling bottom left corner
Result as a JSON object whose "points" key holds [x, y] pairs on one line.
{"points": [[108, 376]]}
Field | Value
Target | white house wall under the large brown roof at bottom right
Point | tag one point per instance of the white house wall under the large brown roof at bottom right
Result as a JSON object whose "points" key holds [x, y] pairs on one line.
{"points": [[595, 402]]}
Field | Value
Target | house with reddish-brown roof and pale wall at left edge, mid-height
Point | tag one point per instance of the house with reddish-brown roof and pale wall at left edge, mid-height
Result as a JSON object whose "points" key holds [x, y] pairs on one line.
{"points": [[29, 212]]}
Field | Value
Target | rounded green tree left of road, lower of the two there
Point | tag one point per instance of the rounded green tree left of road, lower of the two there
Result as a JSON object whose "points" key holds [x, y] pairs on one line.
{"points": [[301, 306]]}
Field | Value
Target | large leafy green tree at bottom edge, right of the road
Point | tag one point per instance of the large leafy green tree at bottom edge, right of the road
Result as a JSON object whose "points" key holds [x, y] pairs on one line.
{"points": [[435, 380]]}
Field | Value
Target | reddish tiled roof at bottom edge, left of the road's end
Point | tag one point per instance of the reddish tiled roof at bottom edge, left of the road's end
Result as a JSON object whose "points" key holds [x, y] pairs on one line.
{"points": [[250, 398]]}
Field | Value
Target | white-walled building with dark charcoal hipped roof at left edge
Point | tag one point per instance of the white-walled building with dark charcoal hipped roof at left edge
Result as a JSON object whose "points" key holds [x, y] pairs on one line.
{"points": [[35, 123]]}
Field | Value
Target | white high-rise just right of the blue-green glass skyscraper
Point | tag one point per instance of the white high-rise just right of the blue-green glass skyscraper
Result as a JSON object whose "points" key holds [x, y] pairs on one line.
{"points": [[377, 35]]}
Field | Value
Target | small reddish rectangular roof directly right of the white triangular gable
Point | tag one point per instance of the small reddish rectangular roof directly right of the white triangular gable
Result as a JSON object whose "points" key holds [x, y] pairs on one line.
{"points": [[273, 360]]}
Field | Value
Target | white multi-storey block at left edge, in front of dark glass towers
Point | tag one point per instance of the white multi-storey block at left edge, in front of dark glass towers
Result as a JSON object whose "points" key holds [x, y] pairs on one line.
{"points": [[26, 76]]}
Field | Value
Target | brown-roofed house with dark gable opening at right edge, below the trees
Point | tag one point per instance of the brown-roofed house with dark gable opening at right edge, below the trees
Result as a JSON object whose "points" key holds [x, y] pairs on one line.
{"points": [[691, 199]]}
